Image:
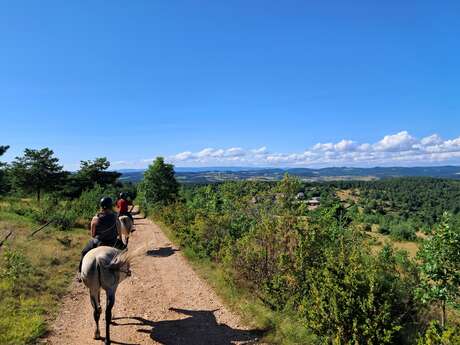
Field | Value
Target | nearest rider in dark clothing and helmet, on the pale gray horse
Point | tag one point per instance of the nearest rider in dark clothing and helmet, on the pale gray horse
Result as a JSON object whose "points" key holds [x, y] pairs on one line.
{"points": [[105, 228]]}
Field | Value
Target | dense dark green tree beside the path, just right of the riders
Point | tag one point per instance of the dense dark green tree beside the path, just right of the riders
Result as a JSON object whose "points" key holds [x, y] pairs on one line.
{"points": [[159, 184]]}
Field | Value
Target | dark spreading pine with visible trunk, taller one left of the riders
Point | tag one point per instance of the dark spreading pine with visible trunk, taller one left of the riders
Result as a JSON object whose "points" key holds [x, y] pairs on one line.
{"points": [[36, 172]]}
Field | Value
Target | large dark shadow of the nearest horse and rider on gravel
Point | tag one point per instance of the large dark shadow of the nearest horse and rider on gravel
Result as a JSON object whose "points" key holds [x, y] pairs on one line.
{"points": [[199, 328]]}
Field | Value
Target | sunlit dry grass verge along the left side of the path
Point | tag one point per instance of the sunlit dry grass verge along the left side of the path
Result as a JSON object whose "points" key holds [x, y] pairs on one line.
{"points": [[35, 273]]}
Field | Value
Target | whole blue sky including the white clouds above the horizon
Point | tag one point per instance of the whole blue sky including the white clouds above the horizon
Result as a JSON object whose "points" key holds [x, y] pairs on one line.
{"points": [[216, 82]]}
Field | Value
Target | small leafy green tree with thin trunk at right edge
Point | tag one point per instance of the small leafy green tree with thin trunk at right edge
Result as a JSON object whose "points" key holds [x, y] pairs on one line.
{"points": [[440, 267]]}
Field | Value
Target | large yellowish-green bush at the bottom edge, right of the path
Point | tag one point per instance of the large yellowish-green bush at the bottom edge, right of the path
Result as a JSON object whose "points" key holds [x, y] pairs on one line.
{"points": [[350, 300]]}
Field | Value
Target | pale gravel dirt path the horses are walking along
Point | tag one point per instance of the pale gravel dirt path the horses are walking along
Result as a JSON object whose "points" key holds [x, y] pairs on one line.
{"points": [[163, 302]]}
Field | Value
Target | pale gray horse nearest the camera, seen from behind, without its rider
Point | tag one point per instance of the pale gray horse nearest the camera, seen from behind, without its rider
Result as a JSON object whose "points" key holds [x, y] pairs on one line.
{"points": [[104, 267]]}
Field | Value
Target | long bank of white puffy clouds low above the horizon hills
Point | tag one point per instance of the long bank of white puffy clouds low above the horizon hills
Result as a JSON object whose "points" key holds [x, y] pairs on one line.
{"points": [[398, 149]]}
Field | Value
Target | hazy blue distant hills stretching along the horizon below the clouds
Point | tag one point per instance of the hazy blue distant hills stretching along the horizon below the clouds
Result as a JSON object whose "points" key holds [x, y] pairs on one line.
{"points": [[219, 174]]}
